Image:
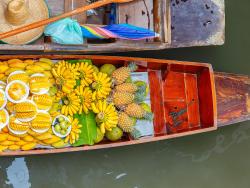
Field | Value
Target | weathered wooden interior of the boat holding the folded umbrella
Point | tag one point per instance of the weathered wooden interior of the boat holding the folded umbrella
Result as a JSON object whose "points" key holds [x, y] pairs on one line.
{"points": [[153, 15]]}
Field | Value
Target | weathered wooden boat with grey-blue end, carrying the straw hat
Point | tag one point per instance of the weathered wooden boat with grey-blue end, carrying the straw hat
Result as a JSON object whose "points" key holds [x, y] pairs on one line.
{"points": [[179, 24]]}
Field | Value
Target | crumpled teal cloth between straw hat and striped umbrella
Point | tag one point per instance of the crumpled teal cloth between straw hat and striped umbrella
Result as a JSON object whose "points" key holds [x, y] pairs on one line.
{"points": [[65, 31]]}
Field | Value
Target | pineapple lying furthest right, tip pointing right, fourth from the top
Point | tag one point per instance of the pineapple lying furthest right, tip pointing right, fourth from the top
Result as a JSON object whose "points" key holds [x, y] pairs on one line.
{"points": [[135, 110]]}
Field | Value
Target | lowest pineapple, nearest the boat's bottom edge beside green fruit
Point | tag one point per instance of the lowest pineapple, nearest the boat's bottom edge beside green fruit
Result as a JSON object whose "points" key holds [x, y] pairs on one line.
{"points": [[126, 123]]}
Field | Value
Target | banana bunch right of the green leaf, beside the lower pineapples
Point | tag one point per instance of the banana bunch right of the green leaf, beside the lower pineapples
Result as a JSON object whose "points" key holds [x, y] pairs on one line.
{"points": [[107, 116]]}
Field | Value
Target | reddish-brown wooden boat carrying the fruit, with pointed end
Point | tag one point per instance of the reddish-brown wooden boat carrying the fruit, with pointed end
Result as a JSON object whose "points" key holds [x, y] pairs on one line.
{"points": [[186, 98]]}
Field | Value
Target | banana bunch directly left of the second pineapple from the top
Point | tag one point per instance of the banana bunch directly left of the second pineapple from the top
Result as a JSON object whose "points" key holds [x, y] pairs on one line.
{"points": [[101, 86]]}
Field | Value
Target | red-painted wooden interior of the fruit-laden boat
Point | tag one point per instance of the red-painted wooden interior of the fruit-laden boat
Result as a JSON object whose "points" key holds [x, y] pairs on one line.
{"points": [[182, 94]]}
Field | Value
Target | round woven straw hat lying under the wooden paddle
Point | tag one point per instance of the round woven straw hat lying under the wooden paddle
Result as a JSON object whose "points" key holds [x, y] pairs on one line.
{"points": [[17, 13]]}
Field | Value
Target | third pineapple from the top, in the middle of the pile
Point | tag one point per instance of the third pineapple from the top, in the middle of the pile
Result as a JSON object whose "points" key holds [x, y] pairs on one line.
{"points": [[123, 98]]}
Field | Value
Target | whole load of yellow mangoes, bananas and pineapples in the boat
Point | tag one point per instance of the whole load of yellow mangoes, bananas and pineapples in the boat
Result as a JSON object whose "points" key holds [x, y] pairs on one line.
{"points": [[69, 103]]}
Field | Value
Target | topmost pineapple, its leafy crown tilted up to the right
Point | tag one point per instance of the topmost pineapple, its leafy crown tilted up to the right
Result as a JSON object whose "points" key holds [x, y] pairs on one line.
{"points": [[120, 75]]}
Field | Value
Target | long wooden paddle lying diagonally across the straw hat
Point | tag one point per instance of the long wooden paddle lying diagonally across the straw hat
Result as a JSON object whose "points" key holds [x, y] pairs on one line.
{"points": [[67, 14]]}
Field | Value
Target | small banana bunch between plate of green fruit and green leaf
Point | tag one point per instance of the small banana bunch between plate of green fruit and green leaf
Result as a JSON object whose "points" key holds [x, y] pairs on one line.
{"points": [[75, 131]]}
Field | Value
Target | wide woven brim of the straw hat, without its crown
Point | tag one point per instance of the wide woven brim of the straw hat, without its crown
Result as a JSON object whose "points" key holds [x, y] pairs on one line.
{"points": [[38, 11]]}
